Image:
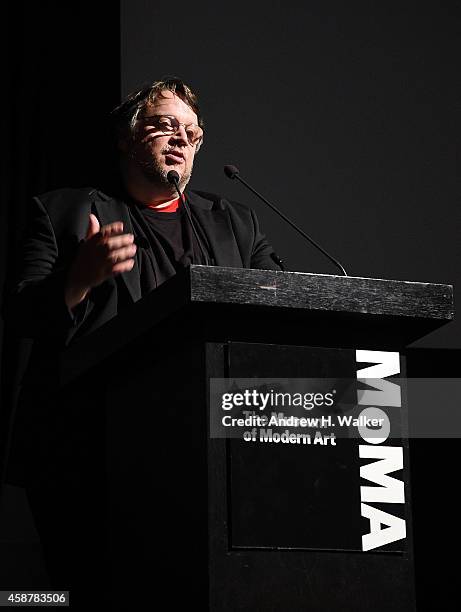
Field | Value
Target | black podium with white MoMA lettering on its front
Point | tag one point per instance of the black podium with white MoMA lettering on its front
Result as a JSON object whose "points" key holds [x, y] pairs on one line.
{"points": [[221, 523]]}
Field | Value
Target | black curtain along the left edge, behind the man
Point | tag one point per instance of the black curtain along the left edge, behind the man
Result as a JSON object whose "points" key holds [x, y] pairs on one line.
{"points": [[61, 79]]}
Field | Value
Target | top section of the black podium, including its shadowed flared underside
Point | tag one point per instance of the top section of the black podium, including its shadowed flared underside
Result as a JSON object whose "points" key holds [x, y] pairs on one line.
{"points": [[236, 304]]}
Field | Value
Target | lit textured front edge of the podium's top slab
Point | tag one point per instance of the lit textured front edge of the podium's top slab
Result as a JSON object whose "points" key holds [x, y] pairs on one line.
{"points": [[321, 292]]}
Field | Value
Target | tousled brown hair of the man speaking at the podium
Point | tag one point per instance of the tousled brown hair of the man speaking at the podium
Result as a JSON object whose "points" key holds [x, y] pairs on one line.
{"points": [[125, 115]]}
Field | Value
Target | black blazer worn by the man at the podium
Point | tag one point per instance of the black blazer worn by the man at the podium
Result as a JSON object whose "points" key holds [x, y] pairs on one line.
{"points": [[58, 222]]}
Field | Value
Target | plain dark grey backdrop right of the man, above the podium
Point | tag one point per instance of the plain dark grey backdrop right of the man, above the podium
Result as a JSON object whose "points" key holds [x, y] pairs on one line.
{"points": [[345, 114]]}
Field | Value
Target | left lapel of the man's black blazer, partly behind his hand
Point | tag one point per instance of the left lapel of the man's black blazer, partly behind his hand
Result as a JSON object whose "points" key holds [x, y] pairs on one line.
{"points": [[108, 210]]}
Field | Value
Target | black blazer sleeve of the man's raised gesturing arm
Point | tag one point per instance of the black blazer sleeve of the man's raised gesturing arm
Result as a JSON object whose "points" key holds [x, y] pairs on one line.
{"points": [[35, 305]]}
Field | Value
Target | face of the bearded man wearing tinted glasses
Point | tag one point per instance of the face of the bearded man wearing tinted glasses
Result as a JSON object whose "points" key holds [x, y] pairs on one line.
{"points": [[156, 153]]}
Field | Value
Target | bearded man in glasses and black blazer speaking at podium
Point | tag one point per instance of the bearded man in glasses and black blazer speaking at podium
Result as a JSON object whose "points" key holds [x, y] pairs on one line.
{"points": [[90, 254]]}
